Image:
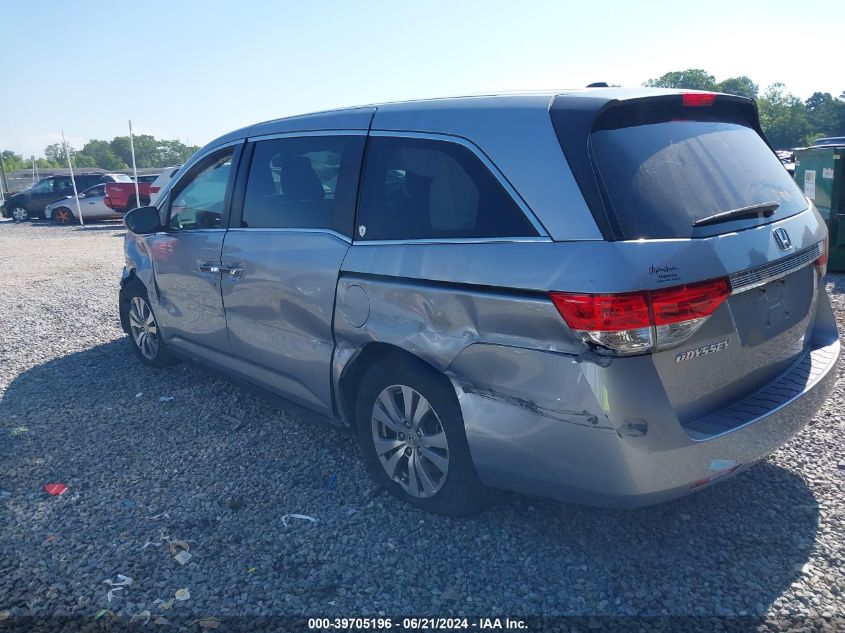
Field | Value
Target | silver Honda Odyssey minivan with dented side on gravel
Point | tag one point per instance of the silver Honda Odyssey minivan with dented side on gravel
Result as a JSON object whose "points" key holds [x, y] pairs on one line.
{"points": [[606, 296]]}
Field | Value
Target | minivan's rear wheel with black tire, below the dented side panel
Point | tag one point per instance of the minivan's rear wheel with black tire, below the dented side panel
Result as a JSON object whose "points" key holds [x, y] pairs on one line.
{"points": [[411, 434]]}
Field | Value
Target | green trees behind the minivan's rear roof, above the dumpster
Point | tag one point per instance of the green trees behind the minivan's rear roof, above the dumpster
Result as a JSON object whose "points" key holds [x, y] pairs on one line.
{"points": [[786, 120]]}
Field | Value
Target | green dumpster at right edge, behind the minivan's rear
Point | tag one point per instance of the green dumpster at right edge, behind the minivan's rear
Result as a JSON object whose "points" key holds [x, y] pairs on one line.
{"points": [[820, 172]]}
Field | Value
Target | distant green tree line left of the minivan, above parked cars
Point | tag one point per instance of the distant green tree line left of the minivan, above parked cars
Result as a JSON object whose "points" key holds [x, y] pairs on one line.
{"points": [[111, 155]]}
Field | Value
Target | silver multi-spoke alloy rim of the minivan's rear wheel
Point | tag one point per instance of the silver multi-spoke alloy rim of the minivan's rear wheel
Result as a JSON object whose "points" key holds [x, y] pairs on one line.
{"points": [[410, 441]]}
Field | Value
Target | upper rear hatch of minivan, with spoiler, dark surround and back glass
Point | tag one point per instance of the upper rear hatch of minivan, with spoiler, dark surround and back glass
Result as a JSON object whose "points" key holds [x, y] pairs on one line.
{"points": [[674, 166]]}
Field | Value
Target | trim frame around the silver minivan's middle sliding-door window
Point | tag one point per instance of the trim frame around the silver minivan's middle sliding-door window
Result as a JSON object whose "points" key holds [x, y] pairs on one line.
{"points": [[239, 197]]}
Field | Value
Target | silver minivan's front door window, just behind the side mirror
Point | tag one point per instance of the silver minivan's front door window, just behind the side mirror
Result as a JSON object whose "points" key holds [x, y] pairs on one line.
{"points": [[198, 200]]}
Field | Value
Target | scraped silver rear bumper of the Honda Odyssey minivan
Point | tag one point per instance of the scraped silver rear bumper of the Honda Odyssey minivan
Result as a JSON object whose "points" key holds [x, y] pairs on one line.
{"points": [[607, 436]]}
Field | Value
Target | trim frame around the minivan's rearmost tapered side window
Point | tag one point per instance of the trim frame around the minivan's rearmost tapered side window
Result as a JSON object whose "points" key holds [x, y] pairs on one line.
{"points": [[543, 234]]}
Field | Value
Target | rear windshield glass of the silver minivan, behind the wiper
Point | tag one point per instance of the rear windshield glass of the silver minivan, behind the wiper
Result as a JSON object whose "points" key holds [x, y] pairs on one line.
{"points": [[664, 176]]}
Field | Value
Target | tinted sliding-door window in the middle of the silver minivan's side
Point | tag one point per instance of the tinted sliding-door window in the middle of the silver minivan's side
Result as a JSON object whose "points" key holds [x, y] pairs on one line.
{"points": [[303, 182]]}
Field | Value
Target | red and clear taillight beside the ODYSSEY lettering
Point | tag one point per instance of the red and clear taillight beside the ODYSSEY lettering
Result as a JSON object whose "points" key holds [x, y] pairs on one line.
{"points": [[639, 322]]}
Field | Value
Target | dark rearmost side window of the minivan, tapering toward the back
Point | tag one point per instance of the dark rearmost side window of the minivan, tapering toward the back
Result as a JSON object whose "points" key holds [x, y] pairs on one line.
{"points": [[429, 189]]}
